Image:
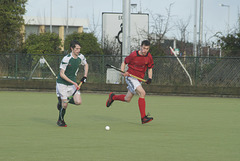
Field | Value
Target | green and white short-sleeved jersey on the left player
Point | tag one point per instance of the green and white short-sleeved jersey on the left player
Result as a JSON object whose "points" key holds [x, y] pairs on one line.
{"points": [[71, 67]]}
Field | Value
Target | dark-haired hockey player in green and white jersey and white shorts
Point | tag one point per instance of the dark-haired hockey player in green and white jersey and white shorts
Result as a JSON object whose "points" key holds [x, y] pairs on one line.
{"points": [[66, 82]]}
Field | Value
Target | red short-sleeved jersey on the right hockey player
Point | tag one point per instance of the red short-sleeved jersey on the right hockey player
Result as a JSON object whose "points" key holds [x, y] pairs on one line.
{"points": [[138, 64]]}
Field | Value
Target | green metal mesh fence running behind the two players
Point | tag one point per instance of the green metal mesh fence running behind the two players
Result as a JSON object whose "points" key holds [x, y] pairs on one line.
{"points": [[204, 71]]}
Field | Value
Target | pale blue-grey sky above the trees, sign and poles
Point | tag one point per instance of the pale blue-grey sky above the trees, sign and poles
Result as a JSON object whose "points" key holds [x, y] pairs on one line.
{"points": [[215, 17]]}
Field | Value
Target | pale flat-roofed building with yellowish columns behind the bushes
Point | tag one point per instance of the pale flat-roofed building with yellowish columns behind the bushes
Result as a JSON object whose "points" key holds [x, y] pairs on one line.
{"points": [[60, 26]]}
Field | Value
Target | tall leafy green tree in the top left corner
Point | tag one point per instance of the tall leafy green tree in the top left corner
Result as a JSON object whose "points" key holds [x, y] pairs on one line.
{"points": [[11, 21]]}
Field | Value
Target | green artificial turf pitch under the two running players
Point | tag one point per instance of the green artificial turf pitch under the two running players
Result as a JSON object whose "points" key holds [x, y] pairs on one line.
{"points": [[183, 129]]}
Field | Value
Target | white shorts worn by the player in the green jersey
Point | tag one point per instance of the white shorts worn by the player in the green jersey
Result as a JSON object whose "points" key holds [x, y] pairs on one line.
{"points": [[65, 91]]}
